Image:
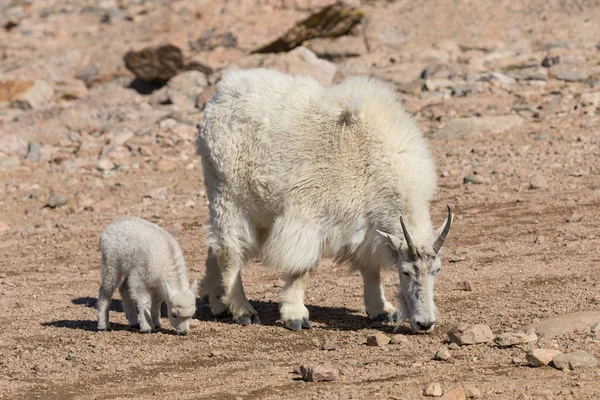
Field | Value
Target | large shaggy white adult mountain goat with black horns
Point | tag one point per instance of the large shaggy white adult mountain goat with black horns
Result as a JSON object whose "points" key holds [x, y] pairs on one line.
{"points": [[295, 171]]}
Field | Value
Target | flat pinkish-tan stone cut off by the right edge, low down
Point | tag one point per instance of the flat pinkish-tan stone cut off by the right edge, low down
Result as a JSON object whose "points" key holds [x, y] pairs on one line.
{"points": [[555, 326]]}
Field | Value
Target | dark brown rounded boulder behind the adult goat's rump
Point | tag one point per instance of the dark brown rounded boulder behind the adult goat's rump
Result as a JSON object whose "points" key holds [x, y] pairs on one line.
{"points": [[159, 63]]}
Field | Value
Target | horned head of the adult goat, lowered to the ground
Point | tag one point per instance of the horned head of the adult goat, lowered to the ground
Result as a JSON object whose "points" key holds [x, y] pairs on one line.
{"points": [[418, 268]]}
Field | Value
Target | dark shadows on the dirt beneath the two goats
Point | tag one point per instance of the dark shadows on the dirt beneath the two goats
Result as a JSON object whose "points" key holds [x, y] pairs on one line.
{"points": [[331, 318]]}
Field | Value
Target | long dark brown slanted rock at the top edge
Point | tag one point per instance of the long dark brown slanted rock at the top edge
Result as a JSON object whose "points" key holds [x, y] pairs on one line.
{"points": [[331, 21]]}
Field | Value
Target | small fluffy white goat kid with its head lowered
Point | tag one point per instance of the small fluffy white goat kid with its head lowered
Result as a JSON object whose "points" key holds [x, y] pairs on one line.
{"points": [[150, 264]]}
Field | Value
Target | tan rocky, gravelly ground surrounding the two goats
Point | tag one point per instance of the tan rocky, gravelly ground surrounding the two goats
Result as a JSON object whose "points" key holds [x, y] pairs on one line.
{"points": [[99, 107]]}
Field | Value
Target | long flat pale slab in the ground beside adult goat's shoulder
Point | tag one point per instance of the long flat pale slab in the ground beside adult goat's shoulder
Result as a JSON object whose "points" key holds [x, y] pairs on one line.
{"points": [[464, 128]]}
